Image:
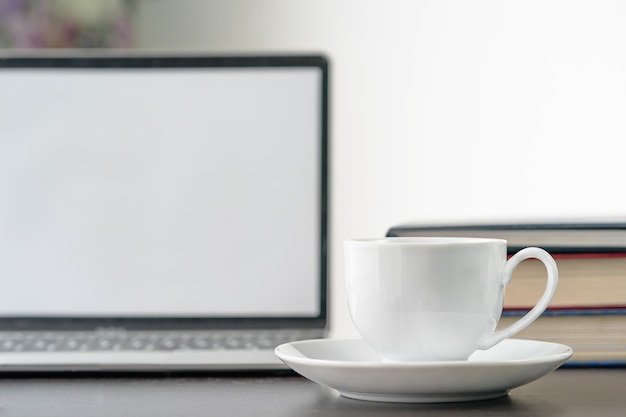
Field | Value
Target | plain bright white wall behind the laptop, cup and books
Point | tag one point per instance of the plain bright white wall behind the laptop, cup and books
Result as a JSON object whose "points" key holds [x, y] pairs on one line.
{"points": [[442, 110]]}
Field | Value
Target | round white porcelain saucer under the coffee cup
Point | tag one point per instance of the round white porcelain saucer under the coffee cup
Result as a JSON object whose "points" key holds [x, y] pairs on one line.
{"points": [[356, 370]]}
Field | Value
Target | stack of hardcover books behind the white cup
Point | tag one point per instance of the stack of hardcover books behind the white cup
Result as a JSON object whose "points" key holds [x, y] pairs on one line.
{"points": [[588, 312]]}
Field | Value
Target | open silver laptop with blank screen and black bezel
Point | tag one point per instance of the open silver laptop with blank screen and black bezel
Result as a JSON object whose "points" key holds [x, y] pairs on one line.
{"points": [[161, 213]]}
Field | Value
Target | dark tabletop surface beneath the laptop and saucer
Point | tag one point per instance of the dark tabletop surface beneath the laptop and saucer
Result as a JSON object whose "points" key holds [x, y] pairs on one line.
{"points": [[565, 392]]}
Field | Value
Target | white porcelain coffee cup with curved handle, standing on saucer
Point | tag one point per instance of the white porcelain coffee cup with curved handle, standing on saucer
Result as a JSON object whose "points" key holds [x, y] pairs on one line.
{"points": [[435, 299]]}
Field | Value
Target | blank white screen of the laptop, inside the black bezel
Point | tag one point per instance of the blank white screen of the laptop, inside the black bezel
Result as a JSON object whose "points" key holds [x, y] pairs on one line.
{"points": [[184, 192]]}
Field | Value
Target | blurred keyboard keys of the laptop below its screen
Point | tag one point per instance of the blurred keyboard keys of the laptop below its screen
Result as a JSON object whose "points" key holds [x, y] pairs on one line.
{"points": [[142, 341]]}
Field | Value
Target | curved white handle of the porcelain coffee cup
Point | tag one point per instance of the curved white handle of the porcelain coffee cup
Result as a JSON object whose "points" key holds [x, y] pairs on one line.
{"points": [[540, 307]]}
